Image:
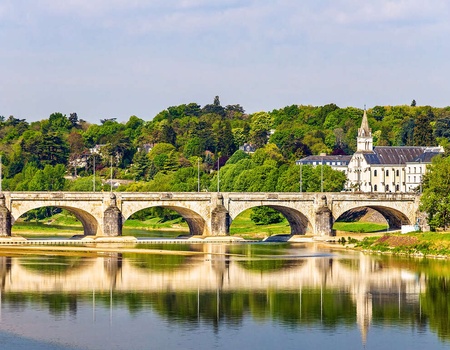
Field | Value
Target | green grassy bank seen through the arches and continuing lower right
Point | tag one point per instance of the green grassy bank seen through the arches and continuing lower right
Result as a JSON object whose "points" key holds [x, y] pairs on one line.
{"points": [[355, 235]]}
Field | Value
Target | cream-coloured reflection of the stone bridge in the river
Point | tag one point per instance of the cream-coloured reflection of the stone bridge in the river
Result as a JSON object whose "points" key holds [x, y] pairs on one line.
{"points": [[205, 273]]}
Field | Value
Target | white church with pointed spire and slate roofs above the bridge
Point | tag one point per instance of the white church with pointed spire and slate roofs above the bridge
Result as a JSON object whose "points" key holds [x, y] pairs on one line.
{"points": [[381, 168]]}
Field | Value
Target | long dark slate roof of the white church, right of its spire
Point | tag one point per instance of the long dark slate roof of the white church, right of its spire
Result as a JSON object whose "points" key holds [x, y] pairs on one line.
{"points": [[401, 155]]}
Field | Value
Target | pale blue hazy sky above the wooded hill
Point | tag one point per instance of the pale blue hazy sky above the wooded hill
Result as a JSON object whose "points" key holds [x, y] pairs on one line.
{"points": [[118, 58]]}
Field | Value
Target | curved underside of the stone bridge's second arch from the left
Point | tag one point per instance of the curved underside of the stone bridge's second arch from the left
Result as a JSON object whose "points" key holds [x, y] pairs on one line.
{"points": [[196, 223]]}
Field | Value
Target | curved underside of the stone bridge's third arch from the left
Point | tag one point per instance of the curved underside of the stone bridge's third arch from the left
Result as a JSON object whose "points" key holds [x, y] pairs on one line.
{"points": [[298, 222]]}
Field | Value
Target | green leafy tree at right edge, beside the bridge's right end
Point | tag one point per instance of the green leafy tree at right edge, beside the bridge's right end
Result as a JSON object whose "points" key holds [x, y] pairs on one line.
{"points": [[435, 200]]}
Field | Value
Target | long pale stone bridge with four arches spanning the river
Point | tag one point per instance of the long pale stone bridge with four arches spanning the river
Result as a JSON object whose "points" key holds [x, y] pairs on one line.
{"points": [[210, 213]]}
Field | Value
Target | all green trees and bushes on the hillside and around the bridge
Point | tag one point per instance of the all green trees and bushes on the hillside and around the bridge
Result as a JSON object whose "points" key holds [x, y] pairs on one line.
{"points": [[183, 148]]}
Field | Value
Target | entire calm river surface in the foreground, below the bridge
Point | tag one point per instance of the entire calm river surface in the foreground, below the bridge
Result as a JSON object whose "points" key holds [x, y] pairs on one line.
{"points": [[240, 296]]}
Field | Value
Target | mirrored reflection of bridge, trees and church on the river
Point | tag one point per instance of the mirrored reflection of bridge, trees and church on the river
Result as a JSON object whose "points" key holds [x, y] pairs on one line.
{"points": [[223, 286]]}
